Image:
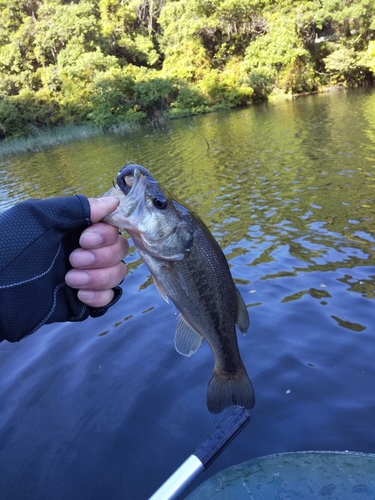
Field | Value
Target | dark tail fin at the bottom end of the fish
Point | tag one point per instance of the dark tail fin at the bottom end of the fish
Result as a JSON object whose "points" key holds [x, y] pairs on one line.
{"points": [[226, 390]]}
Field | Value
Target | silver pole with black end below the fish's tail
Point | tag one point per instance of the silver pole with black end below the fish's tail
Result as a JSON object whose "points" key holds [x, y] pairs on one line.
{"points": [[203, 456]]}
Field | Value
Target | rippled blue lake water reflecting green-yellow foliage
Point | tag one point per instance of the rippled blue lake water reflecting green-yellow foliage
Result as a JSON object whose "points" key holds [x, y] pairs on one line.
{"points": [[106, 408]]}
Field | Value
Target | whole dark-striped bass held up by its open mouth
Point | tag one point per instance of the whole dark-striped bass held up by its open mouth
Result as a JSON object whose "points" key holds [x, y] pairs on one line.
{"points": [[189, 269]]}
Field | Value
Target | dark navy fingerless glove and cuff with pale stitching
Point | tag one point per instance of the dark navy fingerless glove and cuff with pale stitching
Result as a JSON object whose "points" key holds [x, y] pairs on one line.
{"points": [[37, 237]]}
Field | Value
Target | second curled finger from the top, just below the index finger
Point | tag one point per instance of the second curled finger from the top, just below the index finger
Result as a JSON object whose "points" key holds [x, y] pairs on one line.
{"points": [[100, 257]]}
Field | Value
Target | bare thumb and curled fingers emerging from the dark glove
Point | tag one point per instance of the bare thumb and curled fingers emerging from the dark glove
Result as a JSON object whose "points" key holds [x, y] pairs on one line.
{"points": [[97, 265]]}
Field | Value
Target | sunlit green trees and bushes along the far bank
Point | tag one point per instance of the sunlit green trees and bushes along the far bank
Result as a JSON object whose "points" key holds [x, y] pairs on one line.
{"points": [[105, 61]]}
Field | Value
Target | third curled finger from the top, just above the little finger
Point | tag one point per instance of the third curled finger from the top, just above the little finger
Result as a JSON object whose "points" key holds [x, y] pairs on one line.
{"points": [[96, 279]]}
